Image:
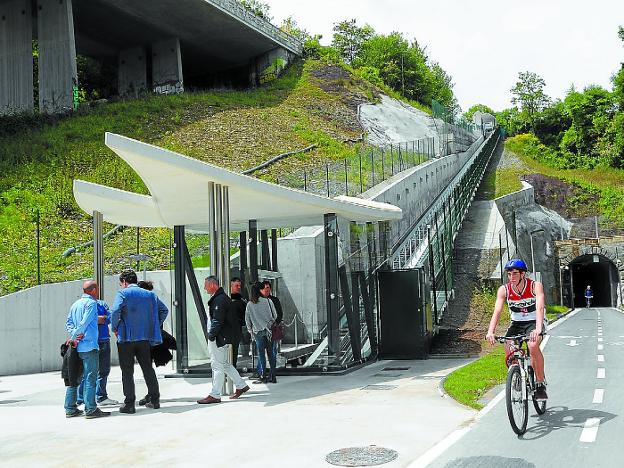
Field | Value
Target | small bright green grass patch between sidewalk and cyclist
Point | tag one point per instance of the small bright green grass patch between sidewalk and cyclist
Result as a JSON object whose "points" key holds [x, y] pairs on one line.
{"points": [[469, 383]]}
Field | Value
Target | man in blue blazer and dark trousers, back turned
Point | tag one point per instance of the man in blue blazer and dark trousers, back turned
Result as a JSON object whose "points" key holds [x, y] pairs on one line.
{"points": [[136, 317]]}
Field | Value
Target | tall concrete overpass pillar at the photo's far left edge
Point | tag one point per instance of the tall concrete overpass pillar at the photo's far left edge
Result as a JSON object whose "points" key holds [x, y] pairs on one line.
{"points": [[16, 61]]}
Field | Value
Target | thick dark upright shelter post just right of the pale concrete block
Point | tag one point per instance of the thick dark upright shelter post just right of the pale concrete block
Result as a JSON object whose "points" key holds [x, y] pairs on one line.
{"points": [[331, 284]]}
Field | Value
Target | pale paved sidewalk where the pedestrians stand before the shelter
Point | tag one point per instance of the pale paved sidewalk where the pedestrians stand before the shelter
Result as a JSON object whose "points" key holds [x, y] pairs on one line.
{"points": [[294, 423]]}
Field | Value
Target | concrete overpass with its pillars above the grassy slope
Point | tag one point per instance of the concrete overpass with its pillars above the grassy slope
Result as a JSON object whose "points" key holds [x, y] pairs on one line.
{"points": [[156, 45]]}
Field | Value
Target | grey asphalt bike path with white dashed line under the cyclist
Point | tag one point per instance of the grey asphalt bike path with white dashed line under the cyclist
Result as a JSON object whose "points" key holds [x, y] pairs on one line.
{"points": [[582, 425]]}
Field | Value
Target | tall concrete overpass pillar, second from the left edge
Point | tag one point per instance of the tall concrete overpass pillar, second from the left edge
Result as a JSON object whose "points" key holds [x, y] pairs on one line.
{"points": [[58, 76]]}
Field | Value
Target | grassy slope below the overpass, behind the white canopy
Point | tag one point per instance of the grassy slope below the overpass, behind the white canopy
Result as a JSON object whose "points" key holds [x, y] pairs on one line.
{"points": [[234, 129]]}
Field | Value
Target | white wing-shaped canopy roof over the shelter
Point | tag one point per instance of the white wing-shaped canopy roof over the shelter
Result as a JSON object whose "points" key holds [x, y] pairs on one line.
{"points": [[179, 195]]}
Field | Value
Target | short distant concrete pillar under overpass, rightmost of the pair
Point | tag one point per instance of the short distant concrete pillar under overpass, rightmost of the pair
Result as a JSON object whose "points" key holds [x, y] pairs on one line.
{"points": [[167, 67]]}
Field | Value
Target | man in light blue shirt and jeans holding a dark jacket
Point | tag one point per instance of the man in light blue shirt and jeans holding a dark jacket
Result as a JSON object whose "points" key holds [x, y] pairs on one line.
{"points": [[81, 325]]}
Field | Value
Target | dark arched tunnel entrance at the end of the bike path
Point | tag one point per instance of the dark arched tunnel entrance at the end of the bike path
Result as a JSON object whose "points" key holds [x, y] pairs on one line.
{"points": [[600, 273]]}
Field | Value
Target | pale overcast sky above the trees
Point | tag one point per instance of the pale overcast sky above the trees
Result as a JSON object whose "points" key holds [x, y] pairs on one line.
{"points": [[484, 44]]}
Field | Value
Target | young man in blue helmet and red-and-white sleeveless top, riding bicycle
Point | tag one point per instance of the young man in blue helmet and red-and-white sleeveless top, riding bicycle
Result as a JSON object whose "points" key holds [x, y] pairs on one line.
{"points": [[526, 302]]}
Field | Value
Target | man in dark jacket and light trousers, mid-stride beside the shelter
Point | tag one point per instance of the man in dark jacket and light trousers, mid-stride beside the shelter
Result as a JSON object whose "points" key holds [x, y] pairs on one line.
{"points": [[223, 323]]}
